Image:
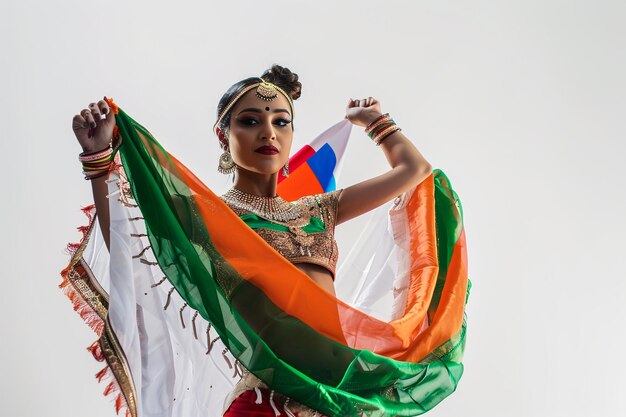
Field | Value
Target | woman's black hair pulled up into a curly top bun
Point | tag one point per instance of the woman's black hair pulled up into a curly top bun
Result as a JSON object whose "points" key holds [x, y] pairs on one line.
{"points": [[281, 76]]}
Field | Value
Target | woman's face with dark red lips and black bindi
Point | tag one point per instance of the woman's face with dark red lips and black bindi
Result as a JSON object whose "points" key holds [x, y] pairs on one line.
{"points": [[260, 133]]}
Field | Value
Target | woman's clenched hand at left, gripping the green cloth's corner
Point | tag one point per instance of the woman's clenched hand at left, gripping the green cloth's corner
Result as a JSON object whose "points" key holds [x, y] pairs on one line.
{"points": [[93, 126]]}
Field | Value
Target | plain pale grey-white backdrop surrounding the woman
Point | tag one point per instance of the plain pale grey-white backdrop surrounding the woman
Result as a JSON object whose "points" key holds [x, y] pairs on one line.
{"points": [[521, 103]]}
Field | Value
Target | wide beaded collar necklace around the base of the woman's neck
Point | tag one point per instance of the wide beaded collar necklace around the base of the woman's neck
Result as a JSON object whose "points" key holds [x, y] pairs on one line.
{"points": [[270, 208]]}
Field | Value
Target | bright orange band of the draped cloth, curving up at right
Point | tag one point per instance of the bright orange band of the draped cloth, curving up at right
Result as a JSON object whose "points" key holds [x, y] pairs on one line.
{"points": [[296, 294]]}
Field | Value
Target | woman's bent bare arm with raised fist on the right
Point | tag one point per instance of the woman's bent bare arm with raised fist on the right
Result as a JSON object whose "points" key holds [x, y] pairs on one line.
{"points": [[408, 166]]}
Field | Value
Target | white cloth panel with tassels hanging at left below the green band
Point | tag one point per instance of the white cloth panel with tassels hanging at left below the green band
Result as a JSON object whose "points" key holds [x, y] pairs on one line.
{"points": [[171, 371]]}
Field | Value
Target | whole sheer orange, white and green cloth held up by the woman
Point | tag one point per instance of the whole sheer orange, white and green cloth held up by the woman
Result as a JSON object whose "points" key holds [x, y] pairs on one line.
{"points": [[189, 296]]}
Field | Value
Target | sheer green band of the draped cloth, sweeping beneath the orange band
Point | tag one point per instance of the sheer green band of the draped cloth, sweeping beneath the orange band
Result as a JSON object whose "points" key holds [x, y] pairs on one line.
{"points": [[288, 355]]}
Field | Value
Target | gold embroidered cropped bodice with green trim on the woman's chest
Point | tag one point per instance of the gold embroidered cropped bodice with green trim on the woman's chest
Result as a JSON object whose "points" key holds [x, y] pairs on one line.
{"points": [[309, 238]]}
